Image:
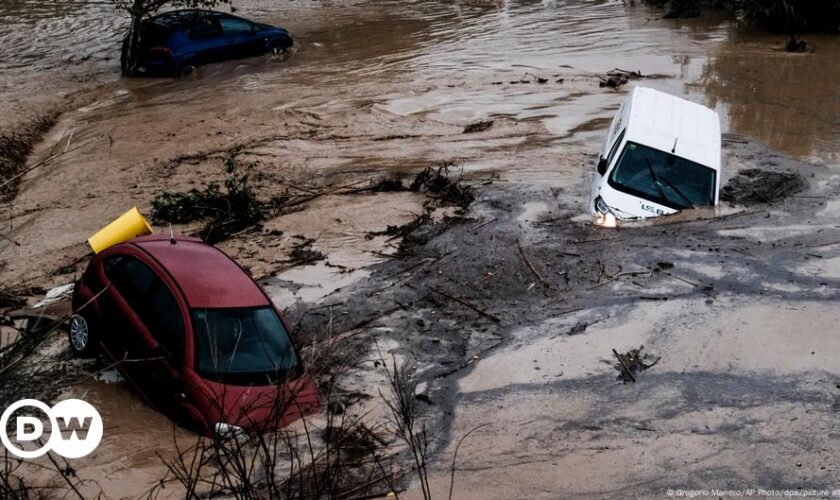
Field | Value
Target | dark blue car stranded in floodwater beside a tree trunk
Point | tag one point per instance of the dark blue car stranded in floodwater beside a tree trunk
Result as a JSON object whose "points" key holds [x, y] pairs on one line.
{"points": [[175, 42]]}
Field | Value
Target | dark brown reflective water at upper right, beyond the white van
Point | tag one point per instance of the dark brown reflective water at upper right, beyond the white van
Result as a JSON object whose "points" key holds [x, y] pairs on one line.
{"points": [[789, 101]]}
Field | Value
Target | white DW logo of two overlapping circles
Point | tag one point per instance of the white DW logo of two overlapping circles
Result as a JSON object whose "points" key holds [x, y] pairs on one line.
{"points": [[75, 429]]}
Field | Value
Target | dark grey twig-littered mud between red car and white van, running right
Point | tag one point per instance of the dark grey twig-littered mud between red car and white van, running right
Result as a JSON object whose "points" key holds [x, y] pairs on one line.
{"points": [[465, 288]]}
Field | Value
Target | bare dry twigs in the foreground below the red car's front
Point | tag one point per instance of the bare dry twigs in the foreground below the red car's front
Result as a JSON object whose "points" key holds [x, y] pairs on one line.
{"points": [[344, 456]]}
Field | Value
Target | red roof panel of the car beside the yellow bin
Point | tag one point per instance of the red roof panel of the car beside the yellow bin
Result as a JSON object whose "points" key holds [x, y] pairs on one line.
{"points": [[207, 276]]}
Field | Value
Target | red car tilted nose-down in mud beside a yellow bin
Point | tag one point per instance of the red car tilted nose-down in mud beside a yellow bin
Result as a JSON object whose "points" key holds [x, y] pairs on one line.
{"points": [[197, 337]]}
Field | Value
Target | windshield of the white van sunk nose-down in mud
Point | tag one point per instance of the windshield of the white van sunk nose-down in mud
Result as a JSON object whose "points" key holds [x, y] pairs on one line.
{"points": [[663, 178]]}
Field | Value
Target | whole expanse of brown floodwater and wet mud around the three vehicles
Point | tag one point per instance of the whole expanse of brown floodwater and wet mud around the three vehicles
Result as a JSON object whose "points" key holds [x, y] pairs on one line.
{"points": [[507, 313]]}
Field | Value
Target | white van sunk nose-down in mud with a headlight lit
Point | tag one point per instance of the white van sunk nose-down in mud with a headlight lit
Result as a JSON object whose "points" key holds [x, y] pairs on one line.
{"points": [[662, 155]]}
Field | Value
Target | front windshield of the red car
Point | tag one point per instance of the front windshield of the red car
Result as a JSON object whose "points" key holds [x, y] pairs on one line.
{"points": [[243, 346]]}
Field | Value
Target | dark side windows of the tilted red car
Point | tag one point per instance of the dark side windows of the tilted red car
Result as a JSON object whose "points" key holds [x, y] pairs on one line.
{"points": [[151, 300]]}
